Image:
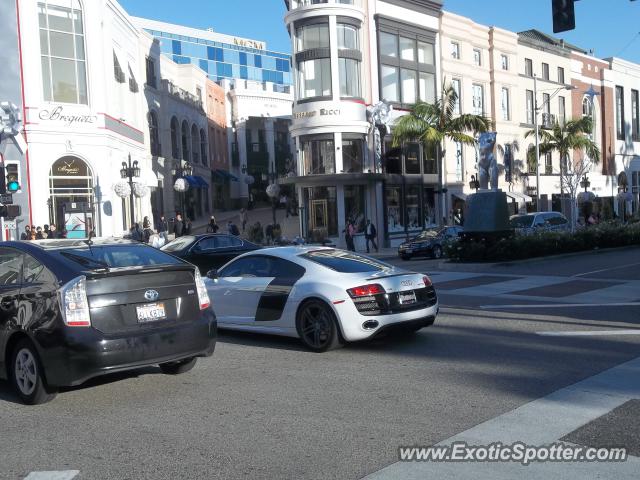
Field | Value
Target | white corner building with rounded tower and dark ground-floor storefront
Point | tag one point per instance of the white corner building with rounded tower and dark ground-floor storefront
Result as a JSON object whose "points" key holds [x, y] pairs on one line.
{"points": [[348, 55]]}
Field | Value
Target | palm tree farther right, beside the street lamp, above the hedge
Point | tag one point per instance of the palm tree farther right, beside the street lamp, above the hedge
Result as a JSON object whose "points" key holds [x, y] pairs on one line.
{"points": [[565, 139]]}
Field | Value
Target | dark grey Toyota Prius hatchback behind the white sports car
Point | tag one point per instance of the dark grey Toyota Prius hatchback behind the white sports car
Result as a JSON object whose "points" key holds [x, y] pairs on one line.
{"points": [[70, 311]]}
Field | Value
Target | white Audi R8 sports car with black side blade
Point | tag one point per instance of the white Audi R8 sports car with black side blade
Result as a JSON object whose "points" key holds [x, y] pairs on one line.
{"points": [[322, 295]]}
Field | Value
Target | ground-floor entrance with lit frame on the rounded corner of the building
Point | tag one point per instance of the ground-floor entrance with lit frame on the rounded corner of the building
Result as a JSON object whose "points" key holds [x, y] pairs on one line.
{"points": [[322, 212]]}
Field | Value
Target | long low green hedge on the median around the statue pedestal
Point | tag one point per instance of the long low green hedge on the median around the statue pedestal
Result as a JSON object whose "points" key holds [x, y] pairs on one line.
{"points": [[605, 235]]}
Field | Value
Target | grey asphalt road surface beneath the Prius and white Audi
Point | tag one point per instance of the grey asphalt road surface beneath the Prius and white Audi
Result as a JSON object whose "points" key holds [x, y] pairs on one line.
{"points": [[263, 407]]}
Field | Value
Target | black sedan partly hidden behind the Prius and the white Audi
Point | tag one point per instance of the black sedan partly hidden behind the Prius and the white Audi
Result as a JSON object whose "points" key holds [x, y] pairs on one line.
{"points": [[210, 250]]}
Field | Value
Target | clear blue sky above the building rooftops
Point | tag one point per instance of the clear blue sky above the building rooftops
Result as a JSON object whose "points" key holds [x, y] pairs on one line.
{"points": [[609, 27]]}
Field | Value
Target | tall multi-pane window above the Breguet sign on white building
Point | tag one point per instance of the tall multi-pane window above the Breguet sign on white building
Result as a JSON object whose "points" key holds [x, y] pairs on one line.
{"points": [[62, 51]]}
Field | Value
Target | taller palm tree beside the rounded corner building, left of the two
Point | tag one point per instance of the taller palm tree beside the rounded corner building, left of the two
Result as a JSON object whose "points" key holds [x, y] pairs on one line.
{"points": [[432, 124]]}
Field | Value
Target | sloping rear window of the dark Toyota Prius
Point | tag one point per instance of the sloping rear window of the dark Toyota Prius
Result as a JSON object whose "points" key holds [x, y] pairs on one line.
{"points": [[118, 256]]}
